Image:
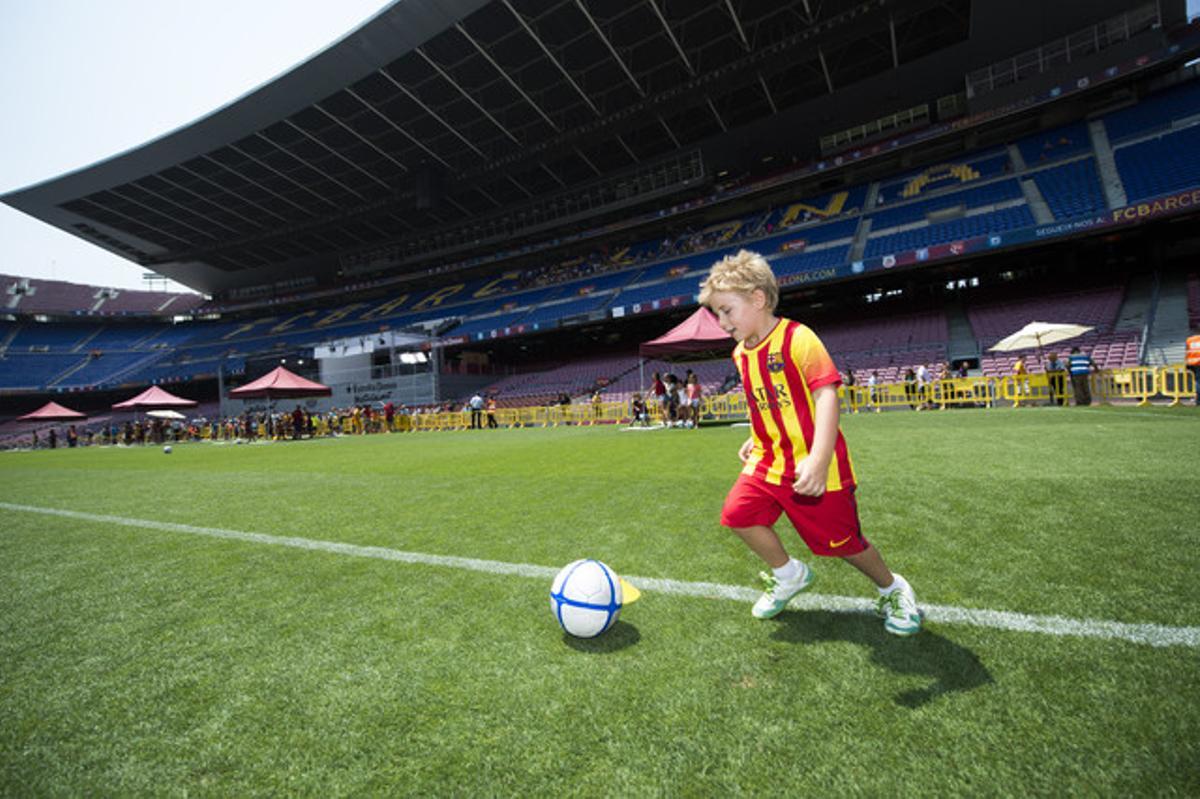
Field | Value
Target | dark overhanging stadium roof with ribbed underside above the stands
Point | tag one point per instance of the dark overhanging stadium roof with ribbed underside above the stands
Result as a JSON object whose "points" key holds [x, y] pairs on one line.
{"points": [[439, 111]]}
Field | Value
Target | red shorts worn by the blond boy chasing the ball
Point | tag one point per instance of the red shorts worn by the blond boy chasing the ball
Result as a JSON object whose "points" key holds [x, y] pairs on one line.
{"points": [[827, 524]]}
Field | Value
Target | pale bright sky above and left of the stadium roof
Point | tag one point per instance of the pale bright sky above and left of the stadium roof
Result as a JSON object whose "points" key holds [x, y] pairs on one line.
{"points": [[75, 77]]}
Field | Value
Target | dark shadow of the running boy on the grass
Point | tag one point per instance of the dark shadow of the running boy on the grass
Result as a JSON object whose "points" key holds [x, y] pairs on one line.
{"points": [[951, 666]]}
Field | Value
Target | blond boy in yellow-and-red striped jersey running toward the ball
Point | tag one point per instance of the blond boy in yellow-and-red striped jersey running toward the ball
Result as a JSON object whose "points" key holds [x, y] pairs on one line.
{"points": [[796, 460]]}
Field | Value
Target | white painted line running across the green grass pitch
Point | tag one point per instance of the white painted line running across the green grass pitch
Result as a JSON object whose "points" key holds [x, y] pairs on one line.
{"points": [[1154, 635]]}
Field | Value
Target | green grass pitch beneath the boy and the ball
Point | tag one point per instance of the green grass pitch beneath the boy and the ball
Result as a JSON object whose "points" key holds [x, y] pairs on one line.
{"points": [[139, 662]]}
